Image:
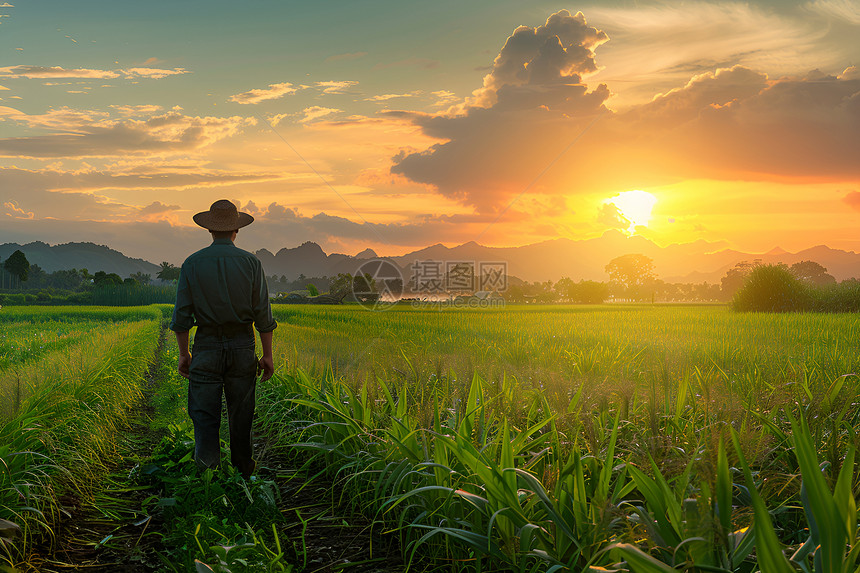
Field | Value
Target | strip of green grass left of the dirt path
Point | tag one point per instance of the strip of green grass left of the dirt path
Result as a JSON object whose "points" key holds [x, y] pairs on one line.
{"points": [[59, 418]]}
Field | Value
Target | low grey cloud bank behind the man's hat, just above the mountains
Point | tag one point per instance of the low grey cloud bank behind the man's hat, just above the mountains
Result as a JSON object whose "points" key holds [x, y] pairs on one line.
{"points": [[164, 239]]}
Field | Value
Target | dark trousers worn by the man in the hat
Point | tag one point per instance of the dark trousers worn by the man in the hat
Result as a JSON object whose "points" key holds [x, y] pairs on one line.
{"points": [[228, 366]]}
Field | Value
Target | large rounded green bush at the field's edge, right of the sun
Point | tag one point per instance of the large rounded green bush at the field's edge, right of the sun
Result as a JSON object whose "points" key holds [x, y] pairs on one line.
{"points": [[772, 288]]}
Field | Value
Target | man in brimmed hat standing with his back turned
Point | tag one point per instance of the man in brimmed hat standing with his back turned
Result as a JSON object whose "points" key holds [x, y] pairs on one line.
{"points": [[223, 292]]}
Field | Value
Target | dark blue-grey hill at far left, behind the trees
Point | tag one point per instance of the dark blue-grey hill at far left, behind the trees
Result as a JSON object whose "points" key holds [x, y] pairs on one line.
{"points": [[79, 256]]}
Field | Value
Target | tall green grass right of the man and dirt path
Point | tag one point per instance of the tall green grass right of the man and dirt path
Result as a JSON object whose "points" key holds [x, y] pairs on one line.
{"points": [[548, 440]]}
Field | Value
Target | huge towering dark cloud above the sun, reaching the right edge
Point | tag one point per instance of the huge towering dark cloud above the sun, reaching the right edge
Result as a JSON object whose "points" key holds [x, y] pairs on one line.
{"points": [[534, 125]]}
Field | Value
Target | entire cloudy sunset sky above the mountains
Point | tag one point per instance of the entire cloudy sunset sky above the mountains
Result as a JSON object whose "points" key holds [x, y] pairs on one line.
{"points": [[395, 125]]}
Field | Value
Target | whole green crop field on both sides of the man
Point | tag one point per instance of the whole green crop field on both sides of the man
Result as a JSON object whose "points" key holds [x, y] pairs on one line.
{"points": [[534, 438]]}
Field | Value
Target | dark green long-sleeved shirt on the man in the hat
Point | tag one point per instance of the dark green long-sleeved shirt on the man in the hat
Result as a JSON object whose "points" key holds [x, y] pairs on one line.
{"points": [[222, 285]]}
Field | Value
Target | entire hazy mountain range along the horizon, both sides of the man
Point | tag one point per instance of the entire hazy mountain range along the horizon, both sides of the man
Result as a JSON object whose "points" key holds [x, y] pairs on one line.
{"points": [[696, 262]]}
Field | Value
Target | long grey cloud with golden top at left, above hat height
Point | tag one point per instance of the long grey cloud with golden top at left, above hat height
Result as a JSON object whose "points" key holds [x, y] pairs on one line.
{"points": [[169, 132]]}
